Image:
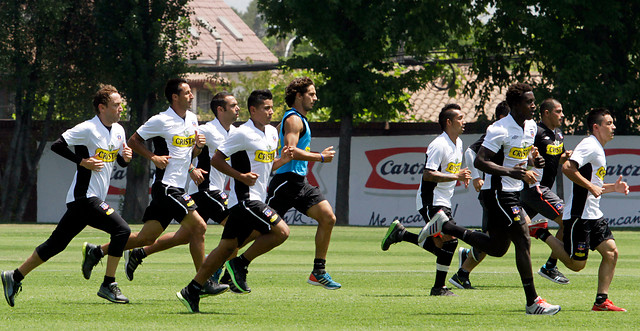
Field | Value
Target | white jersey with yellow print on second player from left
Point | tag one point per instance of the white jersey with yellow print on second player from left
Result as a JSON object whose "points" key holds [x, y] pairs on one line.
{"points": [[174, 136]]}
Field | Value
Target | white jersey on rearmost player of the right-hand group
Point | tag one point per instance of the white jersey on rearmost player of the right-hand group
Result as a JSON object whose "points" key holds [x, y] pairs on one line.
{"points": [[446, 157]]}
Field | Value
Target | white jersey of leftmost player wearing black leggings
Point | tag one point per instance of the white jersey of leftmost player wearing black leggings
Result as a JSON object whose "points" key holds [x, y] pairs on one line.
{"points": [[92, 138]]}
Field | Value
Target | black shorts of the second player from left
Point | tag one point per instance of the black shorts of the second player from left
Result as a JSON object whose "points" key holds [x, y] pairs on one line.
{"points": [[168, 203]]}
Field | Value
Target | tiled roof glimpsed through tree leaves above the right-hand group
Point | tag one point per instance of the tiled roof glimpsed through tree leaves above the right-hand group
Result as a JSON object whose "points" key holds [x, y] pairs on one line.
{"points": [[427, 103]]}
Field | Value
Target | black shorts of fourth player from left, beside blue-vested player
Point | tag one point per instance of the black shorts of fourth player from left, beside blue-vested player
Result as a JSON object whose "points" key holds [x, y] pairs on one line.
{"points": [[249, 215]]}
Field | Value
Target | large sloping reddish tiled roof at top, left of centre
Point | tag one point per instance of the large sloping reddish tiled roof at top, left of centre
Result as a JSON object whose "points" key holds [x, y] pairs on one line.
{"points": [[214, 14]]}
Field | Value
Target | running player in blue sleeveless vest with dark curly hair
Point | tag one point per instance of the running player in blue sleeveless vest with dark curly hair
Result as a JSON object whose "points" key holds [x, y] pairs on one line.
{"points": [[290, 188]]}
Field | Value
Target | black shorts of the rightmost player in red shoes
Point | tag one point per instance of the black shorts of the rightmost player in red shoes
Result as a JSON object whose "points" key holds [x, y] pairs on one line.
{"points": [[580, 235]]}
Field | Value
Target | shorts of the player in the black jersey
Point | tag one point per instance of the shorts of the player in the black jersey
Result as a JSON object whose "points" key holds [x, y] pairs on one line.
{"points": [[541, 200]]}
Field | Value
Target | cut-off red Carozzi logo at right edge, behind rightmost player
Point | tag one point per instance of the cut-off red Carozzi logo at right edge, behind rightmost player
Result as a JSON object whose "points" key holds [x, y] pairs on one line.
{"points": [[625, 162]]}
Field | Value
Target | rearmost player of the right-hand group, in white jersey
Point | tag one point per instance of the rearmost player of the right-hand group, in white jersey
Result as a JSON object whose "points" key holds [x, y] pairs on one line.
{"points": [[440, 175]]}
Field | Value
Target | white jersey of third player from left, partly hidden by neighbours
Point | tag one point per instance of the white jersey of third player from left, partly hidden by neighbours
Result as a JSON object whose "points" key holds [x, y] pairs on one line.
{"points": [[215, 134]]}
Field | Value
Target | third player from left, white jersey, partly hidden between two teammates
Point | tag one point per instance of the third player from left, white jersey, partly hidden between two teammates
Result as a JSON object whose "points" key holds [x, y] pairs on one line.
{"points": [[206, 188]]}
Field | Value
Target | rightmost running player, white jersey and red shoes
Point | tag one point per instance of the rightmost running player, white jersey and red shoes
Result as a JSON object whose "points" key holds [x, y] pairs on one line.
{"points": [[584, 223]]}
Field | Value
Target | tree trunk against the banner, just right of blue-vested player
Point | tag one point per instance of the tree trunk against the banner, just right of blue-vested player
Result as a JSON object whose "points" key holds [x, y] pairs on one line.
{"points": [[344, 167]]}
